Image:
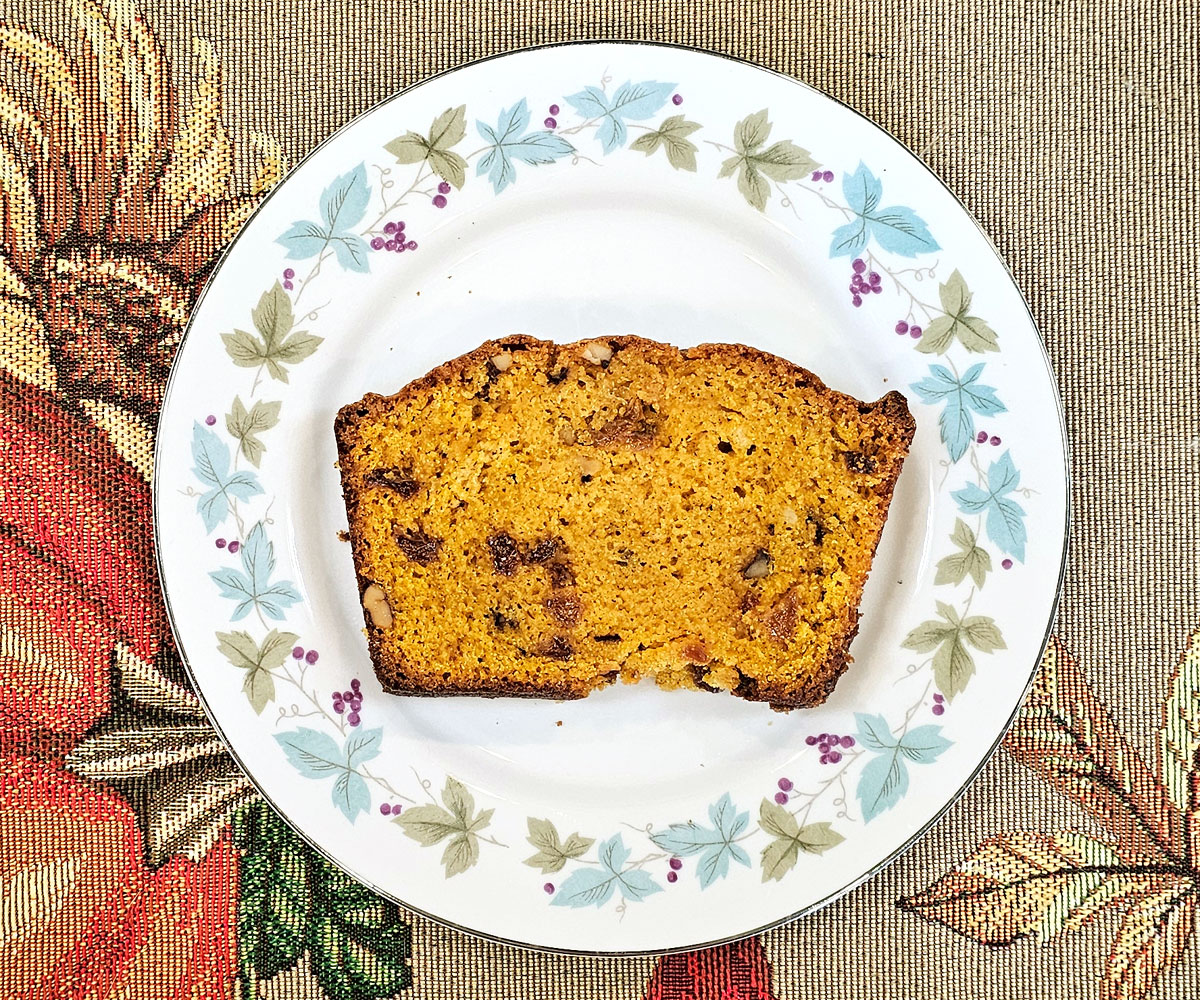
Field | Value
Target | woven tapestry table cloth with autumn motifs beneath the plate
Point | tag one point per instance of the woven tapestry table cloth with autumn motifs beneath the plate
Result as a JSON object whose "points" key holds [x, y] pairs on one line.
{"points": [[135, 860]]}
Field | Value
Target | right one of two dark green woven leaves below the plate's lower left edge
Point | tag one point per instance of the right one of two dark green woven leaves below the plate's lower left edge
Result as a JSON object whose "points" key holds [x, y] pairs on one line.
{"points": [[358, 944]]}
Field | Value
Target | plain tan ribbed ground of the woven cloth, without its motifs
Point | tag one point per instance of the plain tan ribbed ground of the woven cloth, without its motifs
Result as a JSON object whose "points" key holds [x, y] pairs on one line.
{"points": [[1070, 131]]}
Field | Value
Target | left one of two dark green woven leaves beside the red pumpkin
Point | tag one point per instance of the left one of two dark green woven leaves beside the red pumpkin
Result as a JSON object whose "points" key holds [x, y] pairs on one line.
{"points": [[274, 901]]}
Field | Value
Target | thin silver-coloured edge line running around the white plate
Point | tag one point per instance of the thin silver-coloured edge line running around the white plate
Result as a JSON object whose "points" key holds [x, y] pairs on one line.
{"points": [[902, 849]]}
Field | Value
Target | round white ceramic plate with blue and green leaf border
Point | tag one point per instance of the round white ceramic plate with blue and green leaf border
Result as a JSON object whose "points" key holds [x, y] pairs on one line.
{"points": [[572, 193]]}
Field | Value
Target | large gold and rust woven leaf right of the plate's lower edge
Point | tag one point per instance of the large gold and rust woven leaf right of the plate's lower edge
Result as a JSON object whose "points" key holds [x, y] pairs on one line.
{"points": [[1037, 884]]}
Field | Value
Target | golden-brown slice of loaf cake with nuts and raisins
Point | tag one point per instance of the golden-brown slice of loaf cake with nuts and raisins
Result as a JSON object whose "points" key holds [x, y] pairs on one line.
{"points": [[538, 519]]}
